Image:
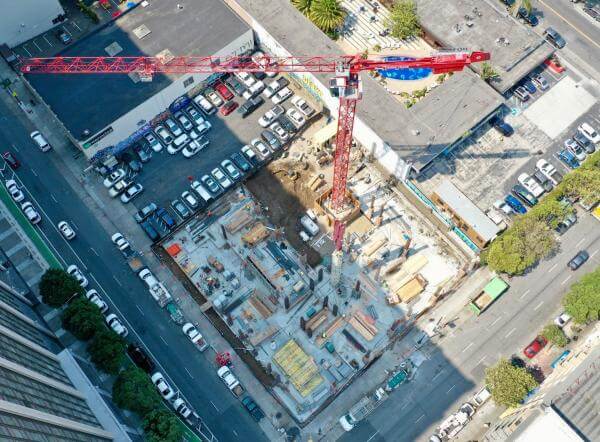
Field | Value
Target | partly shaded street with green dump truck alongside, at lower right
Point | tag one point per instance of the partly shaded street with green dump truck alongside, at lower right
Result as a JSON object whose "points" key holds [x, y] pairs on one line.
{"points": [[455, 367]]}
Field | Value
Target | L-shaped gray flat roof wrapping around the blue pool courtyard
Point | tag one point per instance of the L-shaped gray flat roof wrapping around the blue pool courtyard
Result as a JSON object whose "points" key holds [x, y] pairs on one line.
{"points": [[468, 97]]}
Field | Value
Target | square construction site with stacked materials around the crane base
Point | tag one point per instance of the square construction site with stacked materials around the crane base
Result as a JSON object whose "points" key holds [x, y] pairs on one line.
{"points": [[263, 260]]}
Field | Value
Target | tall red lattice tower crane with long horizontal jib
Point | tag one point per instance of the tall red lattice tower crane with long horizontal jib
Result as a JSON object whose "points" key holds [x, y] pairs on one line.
{"points": [[345, 85]]}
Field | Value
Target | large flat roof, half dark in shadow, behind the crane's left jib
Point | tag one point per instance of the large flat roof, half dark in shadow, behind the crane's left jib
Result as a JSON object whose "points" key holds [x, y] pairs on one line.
{"points": [[200, 27]]}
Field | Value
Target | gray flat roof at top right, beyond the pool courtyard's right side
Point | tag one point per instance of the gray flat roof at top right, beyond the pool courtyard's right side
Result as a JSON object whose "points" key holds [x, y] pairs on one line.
{"points": [[518, 51]]}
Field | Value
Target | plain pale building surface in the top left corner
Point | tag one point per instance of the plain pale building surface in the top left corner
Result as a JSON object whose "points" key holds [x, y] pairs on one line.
{"points": [[24, 19]]}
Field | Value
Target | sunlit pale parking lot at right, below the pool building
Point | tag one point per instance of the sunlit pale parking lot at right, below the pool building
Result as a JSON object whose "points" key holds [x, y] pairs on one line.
{"points": [[486, 166]]}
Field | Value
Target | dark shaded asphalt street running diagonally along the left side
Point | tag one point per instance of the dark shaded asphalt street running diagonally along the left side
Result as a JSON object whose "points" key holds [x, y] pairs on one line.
{"points": [[49, 183]]}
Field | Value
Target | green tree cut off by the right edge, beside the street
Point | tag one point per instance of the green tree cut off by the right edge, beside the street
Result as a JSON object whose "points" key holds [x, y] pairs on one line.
{"points": [[583, 300]]}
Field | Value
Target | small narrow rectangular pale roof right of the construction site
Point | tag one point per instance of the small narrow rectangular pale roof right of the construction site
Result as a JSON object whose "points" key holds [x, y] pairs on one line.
{"points": [[467, 210]]}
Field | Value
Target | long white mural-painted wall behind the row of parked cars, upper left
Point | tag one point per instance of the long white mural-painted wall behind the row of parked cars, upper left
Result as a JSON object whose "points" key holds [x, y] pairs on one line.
{"points": [[141, 114]]}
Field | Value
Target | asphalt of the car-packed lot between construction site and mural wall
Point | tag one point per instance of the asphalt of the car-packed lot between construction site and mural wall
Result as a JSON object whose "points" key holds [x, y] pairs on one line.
{"points": [[165, 176]]}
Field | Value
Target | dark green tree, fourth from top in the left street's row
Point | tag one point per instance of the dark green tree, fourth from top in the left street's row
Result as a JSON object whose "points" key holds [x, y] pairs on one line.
{"points": [[134, 391]]}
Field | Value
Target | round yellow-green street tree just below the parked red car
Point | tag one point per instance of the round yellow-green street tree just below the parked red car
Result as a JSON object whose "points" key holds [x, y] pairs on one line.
{"points": [[508, 384]]}
